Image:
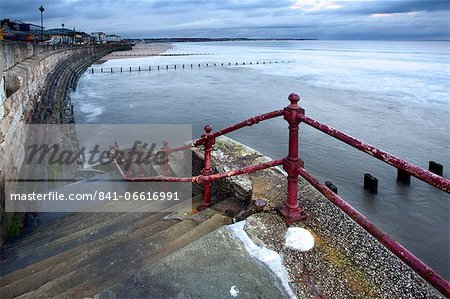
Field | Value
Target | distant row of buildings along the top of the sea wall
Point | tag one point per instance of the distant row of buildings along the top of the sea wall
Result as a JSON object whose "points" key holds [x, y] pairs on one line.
{"points": [[20, 31]]}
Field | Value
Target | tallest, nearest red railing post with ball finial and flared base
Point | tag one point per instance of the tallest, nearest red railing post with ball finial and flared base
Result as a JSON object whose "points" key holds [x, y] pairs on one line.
{"points": [[292, 114]]}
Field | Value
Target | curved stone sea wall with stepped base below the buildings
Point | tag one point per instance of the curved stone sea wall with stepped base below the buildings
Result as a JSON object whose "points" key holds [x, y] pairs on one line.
{"points": [[34, 83]]}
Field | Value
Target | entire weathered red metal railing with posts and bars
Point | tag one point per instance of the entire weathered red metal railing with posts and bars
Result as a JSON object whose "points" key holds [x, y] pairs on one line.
{"points": [[293, 166]]}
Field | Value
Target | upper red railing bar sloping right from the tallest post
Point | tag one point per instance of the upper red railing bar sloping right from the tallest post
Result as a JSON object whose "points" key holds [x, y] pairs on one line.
{"points": [[414, 170]]}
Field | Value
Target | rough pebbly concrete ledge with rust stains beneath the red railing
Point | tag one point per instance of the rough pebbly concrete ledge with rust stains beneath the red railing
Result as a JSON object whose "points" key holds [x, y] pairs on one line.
{"points": [[346, 261]]}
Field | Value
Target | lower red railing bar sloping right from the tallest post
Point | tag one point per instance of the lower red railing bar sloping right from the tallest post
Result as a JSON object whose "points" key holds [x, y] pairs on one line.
{"points": [[396, 248]]}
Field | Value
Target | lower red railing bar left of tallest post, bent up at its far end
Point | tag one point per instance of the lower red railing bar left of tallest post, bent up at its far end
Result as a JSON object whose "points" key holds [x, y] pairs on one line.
{"points": [[202, 178]]}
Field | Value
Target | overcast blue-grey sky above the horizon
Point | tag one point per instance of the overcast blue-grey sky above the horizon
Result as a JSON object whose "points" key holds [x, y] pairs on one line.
{"points": [[323, 19]]}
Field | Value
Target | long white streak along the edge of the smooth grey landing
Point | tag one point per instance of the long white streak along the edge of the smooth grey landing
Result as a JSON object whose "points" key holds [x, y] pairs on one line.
{"points": [[268, 257]]}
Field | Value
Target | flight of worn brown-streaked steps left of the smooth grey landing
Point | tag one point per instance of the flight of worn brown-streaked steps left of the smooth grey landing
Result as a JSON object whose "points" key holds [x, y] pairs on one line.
{"points": [[119, 247]]}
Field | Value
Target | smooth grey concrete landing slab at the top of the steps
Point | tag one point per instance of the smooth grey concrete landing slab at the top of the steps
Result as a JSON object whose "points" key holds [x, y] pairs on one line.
{"points": [[214, 266]]}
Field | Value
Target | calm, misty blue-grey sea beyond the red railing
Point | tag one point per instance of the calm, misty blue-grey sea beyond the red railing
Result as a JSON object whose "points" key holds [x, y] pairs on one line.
{"points": [[394, 95]]}
